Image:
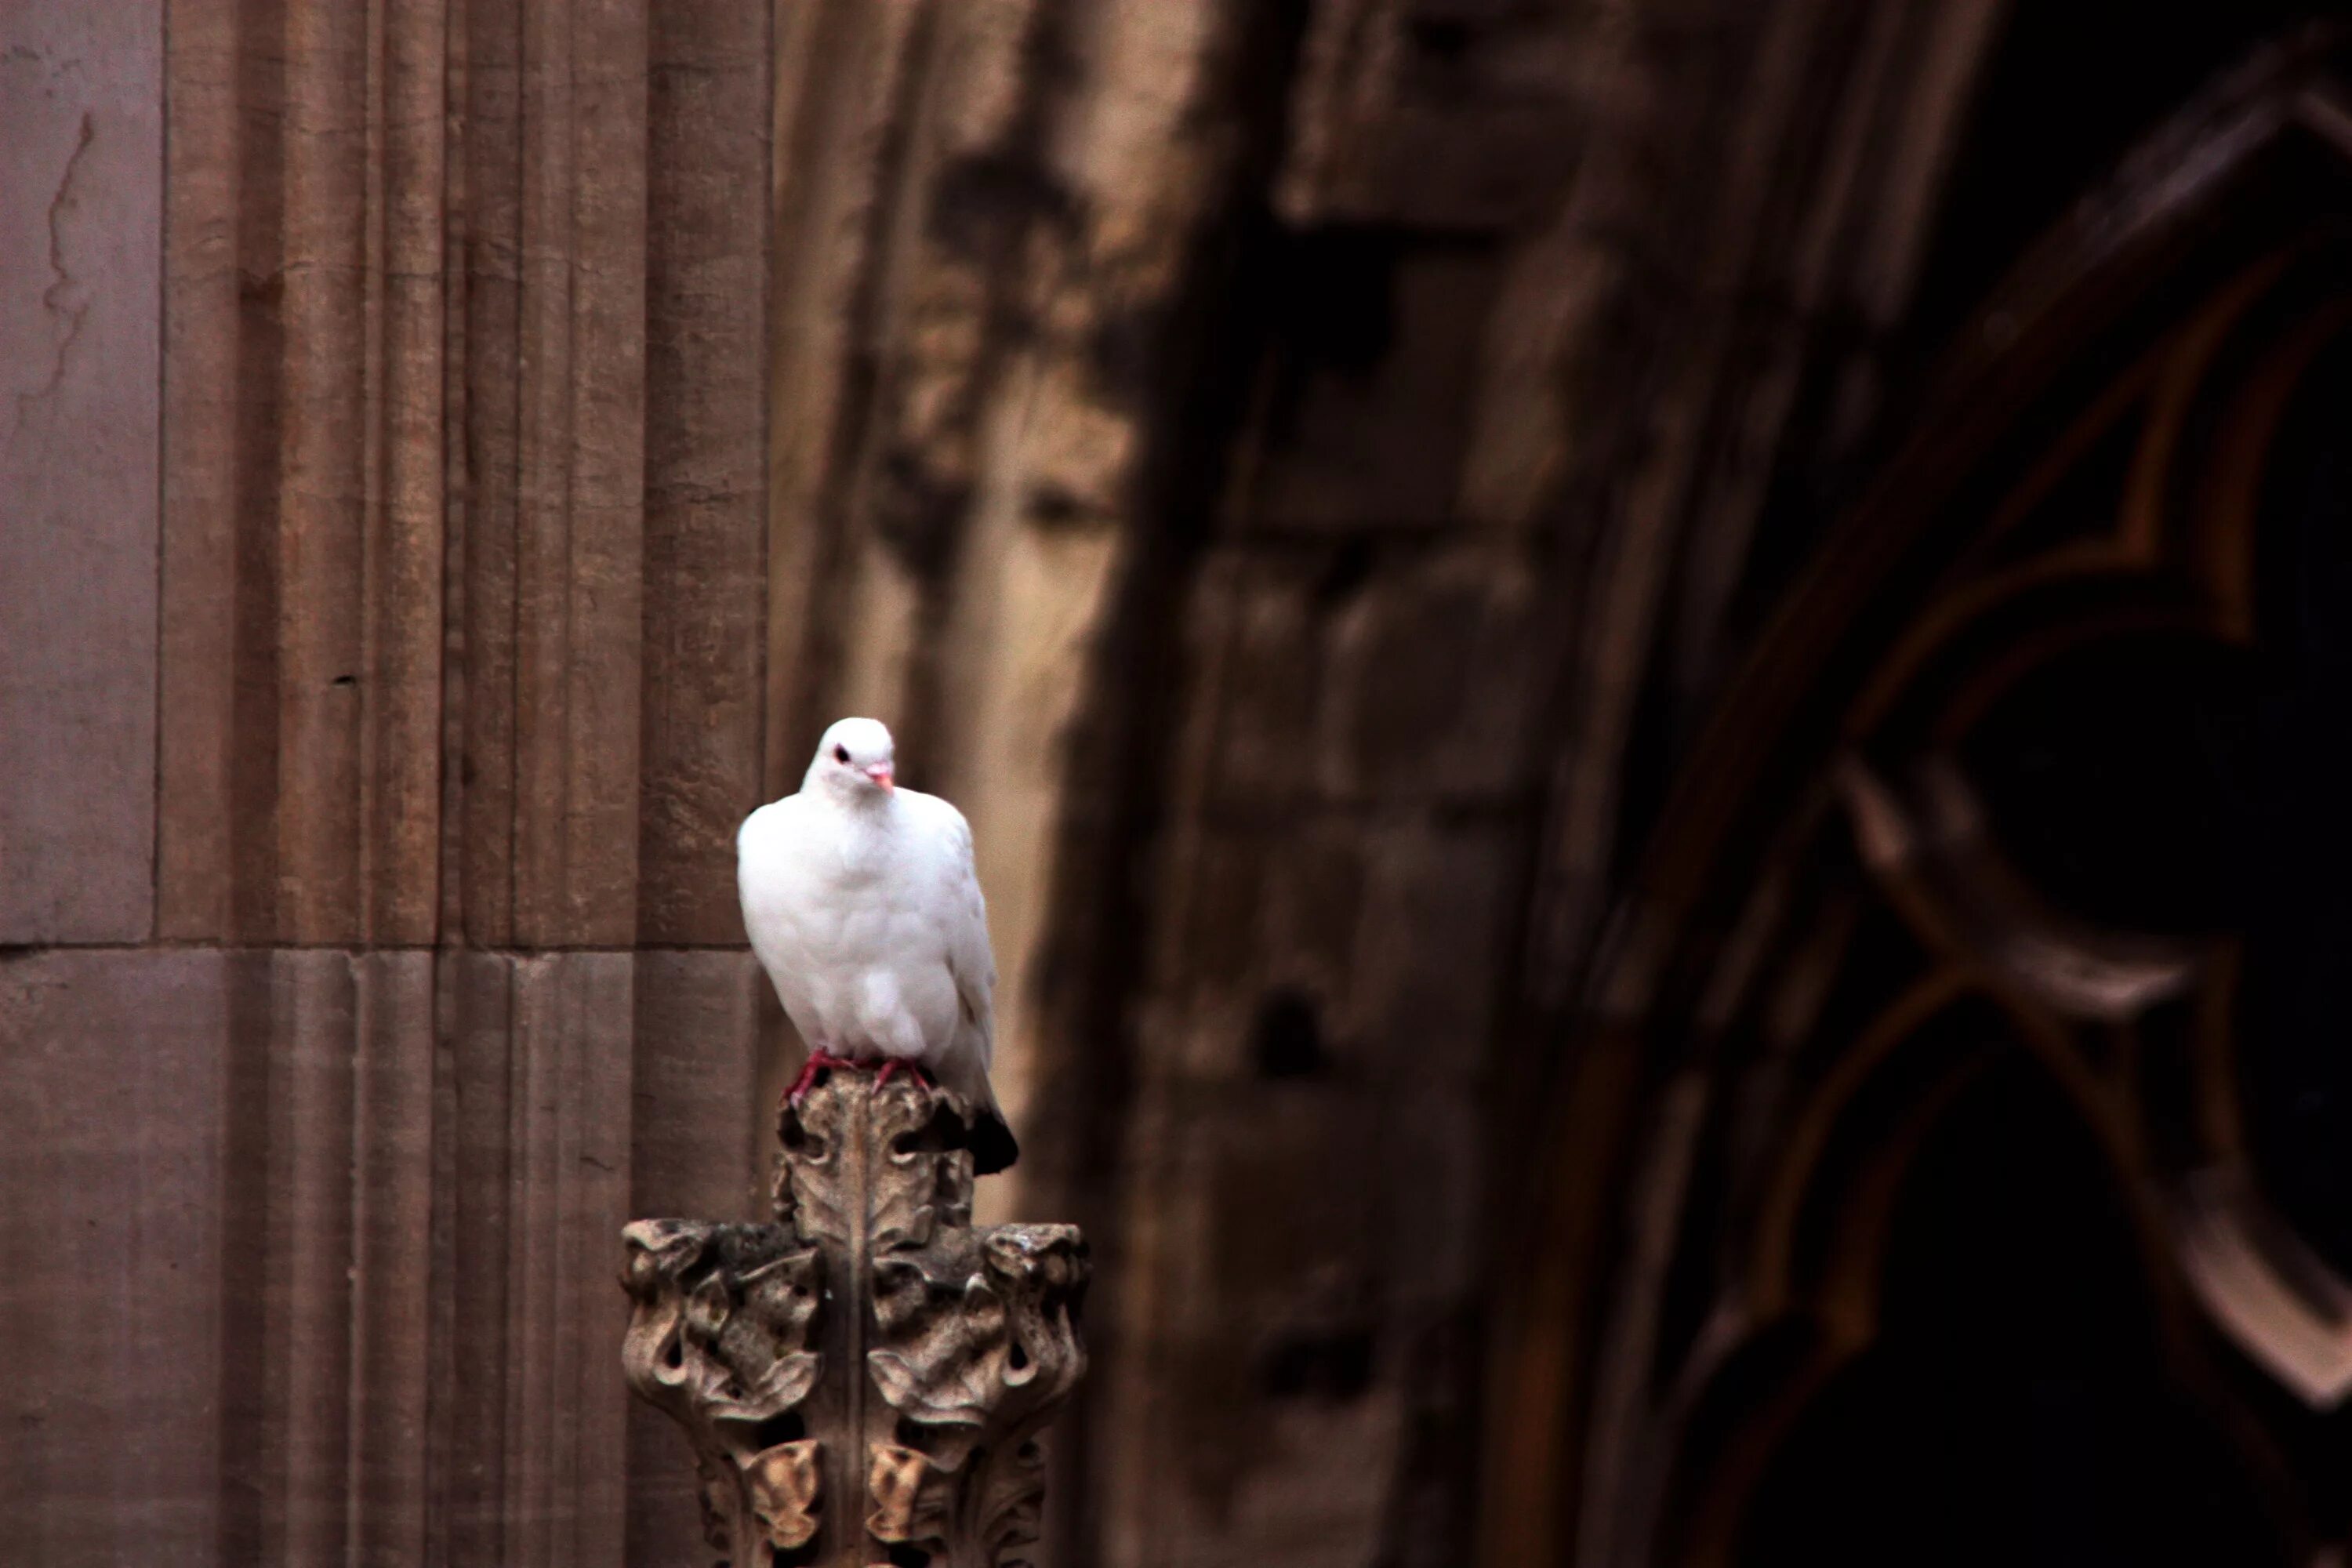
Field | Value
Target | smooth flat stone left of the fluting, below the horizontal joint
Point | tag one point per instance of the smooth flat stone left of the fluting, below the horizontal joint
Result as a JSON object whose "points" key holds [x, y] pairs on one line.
{"points": [[114, 1118]]}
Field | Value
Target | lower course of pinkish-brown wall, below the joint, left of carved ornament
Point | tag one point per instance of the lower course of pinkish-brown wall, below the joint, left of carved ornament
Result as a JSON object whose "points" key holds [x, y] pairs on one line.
{"points": [[312, 1271]]}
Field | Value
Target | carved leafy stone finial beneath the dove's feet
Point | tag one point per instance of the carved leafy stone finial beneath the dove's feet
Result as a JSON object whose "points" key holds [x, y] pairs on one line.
{"points": [[867, 1379]]}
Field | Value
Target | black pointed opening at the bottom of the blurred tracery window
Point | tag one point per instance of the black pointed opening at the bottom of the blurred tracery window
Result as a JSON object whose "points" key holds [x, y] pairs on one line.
{"points": [[2017, 1407]]}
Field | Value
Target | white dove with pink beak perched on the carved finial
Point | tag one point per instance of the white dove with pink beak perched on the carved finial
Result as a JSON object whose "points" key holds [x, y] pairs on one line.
{"points": [[864, 909]]}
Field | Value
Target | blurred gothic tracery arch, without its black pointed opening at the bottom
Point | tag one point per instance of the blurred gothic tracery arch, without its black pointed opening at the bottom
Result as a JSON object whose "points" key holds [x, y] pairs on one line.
{"points": [[1965, 779]]}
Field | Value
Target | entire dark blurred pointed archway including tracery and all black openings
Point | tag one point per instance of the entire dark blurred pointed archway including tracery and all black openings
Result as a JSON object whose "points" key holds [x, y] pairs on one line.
{"points": [[2040, 716]]}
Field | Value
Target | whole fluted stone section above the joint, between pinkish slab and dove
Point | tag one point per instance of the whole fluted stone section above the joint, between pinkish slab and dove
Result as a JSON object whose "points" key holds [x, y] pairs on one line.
{"points": [[453, 396]]}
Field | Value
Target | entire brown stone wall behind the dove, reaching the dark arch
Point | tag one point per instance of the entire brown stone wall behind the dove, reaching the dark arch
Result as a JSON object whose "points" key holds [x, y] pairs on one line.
{"points": [[1288, 469]]}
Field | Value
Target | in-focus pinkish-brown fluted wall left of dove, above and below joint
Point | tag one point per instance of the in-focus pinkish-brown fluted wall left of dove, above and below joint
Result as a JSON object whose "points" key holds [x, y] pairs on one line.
{"points": [[394, 617]]}
